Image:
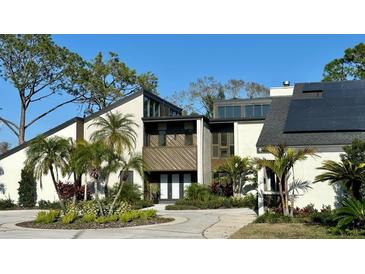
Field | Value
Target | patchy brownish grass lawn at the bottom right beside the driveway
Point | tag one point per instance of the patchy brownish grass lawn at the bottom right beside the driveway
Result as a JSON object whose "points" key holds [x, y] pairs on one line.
{"points": [[287, 231]]}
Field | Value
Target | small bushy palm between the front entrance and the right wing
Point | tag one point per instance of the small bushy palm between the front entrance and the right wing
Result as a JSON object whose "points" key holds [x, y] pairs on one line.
{"points": [[236, 170]]}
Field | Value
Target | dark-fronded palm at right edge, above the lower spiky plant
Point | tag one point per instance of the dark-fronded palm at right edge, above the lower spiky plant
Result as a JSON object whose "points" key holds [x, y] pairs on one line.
{"points": [[350, 175]]}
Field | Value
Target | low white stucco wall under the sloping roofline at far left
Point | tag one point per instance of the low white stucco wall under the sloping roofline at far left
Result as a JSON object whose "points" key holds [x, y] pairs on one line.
{"points": [[14, 163]]}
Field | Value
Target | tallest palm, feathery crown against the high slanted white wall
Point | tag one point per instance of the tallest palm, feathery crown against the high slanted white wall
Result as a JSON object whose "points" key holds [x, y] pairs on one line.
{"points": [[117, 131]]}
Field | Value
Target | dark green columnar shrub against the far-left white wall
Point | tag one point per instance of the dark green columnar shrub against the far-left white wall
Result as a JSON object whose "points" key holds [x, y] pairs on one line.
{"points": [[27, 190]]}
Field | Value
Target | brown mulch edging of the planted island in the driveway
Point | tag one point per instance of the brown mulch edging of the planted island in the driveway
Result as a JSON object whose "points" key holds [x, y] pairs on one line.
{"points": [[79, 225]]}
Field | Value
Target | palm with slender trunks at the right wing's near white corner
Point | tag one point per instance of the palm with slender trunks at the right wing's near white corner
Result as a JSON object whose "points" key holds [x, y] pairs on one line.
{"points": [[284, 160]]}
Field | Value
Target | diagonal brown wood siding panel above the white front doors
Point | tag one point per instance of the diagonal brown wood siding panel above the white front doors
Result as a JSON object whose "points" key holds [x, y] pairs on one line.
{"points": [[171, 158]]}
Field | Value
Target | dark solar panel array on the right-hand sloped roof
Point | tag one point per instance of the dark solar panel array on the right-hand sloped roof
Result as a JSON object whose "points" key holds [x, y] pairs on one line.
{"points": [[327, 106]]}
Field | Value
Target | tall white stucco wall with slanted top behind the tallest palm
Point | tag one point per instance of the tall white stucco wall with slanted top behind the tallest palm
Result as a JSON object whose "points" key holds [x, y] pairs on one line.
{"points": [[135, 108]]}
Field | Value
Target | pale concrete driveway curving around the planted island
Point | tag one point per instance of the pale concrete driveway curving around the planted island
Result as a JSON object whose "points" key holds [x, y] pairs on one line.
{"points": [[188, 224]]}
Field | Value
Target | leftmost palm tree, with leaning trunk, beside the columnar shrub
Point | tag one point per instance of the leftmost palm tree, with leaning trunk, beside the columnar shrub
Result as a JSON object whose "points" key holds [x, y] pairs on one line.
{"points": [[48, 155]]}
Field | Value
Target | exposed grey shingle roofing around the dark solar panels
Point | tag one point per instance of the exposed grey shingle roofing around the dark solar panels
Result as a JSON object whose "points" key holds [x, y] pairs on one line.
{"points": [[273, 130]]}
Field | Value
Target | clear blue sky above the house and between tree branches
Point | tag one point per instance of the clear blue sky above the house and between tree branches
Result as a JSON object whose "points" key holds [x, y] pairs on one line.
{"points": [[178, 60]]}
